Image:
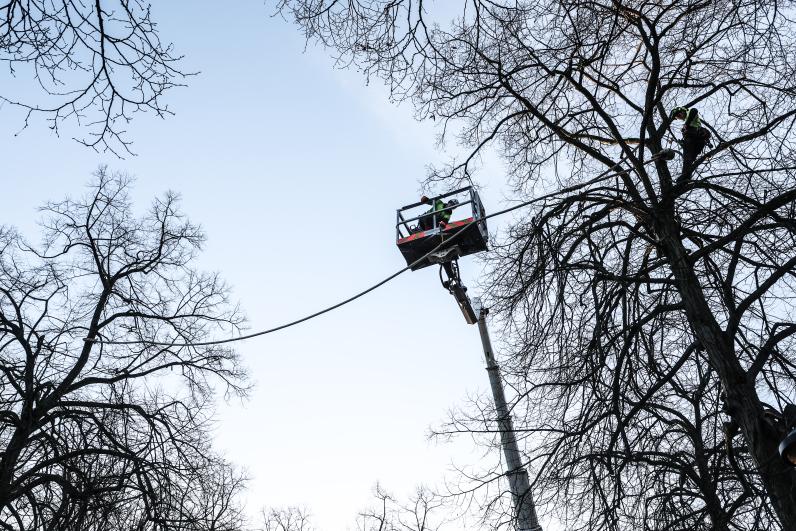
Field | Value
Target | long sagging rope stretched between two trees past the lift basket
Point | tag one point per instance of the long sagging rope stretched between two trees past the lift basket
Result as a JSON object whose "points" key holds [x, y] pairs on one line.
{"points": [[374, 286]]}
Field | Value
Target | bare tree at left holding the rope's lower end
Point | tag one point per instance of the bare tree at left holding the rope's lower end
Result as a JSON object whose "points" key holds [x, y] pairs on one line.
{"points": [[101, 436]]}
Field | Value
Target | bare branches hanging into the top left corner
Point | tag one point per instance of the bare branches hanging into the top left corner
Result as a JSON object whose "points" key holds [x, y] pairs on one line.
{"points": [[96, 64]]}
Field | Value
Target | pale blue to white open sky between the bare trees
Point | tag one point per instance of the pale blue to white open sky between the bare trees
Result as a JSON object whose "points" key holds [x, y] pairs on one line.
{"points": [[294, 169]]}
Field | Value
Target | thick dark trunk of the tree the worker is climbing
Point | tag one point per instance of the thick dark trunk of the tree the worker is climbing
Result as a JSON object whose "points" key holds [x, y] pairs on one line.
{"points": [[743, 404]]}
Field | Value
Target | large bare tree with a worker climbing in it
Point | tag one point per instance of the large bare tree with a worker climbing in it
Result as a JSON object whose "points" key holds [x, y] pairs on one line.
{"points": [[648, 309]]}
